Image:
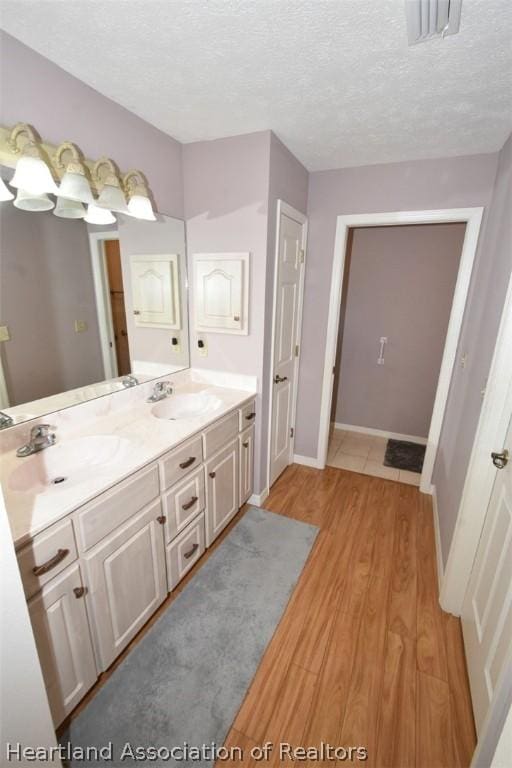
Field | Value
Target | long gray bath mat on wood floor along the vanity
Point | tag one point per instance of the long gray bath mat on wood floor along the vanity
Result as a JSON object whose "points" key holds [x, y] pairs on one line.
{"points": [[186, 679]]}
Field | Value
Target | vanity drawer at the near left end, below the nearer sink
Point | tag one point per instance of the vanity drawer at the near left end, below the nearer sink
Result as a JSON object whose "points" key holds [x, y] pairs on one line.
{"points": [[47, 555]]}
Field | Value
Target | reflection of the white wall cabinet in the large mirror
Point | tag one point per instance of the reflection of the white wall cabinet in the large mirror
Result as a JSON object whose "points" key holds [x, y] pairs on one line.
{"points": [[156, 291]]}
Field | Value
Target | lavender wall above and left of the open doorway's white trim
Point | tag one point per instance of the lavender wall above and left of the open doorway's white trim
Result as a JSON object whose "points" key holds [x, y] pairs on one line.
{"points": [[420, 185]]}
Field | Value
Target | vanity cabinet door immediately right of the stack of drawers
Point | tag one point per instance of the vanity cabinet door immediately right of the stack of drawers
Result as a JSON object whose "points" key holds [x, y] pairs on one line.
{"points": [[222, 494]]}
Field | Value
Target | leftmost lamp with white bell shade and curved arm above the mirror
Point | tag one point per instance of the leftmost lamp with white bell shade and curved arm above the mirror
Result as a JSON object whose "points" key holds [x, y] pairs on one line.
{"points": [[32, 173]]}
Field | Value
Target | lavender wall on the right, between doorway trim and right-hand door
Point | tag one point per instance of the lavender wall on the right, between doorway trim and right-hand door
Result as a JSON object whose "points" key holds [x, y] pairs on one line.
{"points": [[478, 337]]}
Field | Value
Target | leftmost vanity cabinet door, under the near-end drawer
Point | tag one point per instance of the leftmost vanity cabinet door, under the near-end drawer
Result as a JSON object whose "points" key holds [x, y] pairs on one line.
{"points": [[63, 640]]}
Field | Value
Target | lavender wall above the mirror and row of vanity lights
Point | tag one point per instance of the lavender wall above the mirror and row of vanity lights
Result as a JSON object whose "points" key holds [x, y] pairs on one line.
{"points": [[61, 107]]}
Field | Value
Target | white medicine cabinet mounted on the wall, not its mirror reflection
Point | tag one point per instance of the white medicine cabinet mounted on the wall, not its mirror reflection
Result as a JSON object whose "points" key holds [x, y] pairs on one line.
{"points": [[221, 292]]}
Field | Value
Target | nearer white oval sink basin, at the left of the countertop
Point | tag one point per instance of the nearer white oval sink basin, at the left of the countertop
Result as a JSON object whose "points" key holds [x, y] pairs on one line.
{"points": [[69, 463]]}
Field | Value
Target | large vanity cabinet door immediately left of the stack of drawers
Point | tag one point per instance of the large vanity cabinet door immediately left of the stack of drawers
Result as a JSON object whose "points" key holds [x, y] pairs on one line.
{"points": [[126, 579]]}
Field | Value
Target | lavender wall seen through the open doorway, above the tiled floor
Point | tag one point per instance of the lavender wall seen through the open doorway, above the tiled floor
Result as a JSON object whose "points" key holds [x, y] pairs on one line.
{"points": [[400, 285]]}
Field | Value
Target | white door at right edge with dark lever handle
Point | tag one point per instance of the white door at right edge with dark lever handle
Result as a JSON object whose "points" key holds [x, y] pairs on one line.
{"points": [[487, 609]]}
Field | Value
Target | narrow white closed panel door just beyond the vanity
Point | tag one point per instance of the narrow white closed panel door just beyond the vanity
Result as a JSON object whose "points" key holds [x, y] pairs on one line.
{"points": [[287, 316]]}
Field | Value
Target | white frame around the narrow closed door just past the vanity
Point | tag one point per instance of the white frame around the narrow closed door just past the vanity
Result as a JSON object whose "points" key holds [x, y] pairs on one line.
{"points": [[300, 218]]}
